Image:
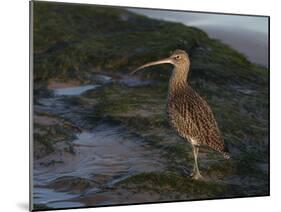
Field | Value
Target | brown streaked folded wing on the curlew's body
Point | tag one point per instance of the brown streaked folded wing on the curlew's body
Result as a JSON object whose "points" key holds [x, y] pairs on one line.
{"points": [[198, 118]]}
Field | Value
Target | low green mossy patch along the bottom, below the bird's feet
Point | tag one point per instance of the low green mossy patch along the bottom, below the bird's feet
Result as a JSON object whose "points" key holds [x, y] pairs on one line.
{"points": [[165, 182]]}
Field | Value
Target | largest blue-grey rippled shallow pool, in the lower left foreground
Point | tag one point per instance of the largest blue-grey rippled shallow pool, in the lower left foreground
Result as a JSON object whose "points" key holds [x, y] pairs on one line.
{"points": [[105, 155]]}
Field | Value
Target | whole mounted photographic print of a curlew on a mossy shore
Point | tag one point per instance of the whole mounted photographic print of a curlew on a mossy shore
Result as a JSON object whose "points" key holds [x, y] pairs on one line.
{"points": [[135, 105]]}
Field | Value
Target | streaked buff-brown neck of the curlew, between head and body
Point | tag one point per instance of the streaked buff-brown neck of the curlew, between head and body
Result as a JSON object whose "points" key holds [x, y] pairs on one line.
{"points": [[178, 80]]}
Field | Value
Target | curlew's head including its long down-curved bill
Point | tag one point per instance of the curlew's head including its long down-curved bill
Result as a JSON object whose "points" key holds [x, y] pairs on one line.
{"points": [[179, 58]]}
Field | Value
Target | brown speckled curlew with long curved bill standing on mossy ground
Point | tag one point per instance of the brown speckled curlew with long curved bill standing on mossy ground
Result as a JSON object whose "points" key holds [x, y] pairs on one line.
{"points": [[189, 114]]}
